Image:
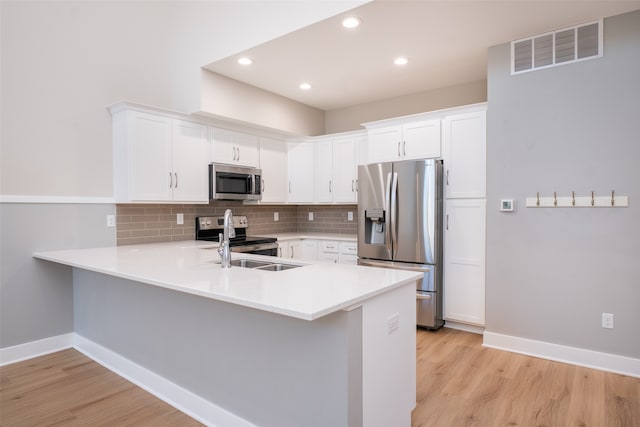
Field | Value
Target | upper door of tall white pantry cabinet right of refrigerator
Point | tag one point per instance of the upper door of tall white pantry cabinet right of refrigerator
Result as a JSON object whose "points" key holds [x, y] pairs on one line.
{"points": [[464, 155]]}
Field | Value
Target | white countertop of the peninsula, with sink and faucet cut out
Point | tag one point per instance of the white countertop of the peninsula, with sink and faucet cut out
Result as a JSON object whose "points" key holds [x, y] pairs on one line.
{"points": [[308, 292]]}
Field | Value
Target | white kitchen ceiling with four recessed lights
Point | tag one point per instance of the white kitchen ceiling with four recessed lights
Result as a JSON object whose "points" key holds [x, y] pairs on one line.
{"points": [[445, 41]]}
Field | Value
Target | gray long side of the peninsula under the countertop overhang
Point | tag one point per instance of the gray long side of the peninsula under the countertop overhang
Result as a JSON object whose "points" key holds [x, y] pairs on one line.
{"points": [[255, 377]]}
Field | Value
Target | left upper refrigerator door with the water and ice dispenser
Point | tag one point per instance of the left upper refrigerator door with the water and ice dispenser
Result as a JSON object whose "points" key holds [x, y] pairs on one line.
{"points": [[374, 187]]}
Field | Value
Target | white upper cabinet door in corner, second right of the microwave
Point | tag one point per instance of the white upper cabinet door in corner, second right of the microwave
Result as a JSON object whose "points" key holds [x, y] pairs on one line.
{"points": [[300, 171]]}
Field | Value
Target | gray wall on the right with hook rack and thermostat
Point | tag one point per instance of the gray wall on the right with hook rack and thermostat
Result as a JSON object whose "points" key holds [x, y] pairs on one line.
{"points": [[552, 272]]}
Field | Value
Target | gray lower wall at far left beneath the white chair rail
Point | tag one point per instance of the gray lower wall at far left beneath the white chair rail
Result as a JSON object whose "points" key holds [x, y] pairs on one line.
{"points": [[36, 297]]}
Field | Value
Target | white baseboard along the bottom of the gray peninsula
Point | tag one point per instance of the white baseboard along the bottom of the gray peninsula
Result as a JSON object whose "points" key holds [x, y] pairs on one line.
{"points": [[191, 404]]}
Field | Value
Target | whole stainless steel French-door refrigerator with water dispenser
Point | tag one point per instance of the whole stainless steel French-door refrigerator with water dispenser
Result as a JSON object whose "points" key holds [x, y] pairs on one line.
{"points": [[400, 211]]}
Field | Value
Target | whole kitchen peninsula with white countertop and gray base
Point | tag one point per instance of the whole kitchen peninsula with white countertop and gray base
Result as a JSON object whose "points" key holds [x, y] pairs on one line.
{"points": [[317, 345]]}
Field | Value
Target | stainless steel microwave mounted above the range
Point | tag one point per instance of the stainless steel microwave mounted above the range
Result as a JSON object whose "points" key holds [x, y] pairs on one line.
{"points": [[228, 182]]}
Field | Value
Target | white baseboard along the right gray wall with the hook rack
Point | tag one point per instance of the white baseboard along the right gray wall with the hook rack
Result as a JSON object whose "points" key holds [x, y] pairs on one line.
{"points": [[561, 353]]}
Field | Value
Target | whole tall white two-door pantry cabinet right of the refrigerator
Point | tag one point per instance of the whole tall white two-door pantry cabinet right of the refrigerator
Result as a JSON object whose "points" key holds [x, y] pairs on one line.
{"points": [[464, 155]]}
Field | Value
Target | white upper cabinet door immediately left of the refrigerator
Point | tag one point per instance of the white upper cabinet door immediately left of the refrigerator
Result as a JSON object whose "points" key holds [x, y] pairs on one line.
{"points": [[345, 170]]}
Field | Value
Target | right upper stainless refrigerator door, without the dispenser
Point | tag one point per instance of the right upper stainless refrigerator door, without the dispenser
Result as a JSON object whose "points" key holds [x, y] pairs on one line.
{"points": [[415, 211]]}
